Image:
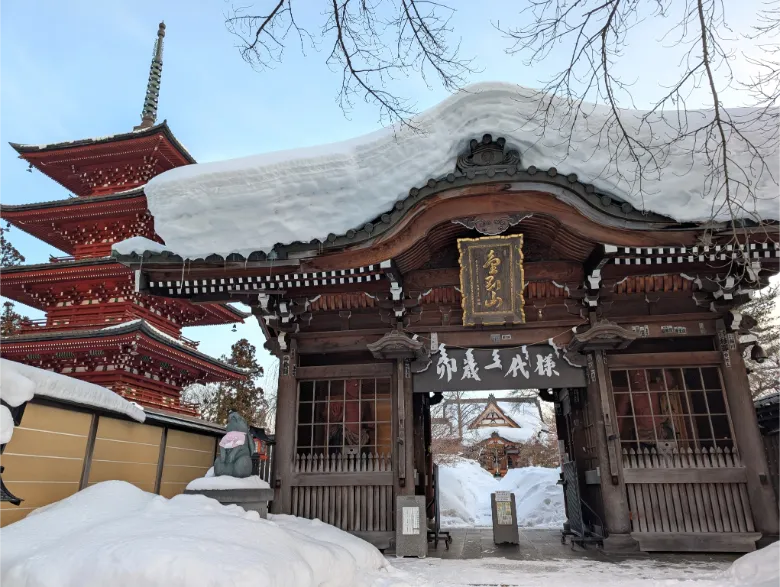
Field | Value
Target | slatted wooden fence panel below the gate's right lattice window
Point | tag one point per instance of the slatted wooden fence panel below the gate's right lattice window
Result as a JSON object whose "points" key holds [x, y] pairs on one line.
{"points": [[687, 491]]}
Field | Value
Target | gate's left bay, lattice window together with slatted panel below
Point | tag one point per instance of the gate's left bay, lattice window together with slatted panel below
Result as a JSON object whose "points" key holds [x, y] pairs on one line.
{"points": [[342, 472]]}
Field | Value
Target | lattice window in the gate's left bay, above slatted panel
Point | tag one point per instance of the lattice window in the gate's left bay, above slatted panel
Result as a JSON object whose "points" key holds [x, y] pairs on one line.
{"points": [[344, 417]]}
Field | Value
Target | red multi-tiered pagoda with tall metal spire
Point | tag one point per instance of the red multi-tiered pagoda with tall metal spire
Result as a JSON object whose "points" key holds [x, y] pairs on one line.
{"points": [[97, 327]]}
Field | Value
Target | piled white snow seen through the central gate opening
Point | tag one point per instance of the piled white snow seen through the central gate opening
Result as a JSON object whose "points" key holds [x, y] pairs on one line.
{"points": [[466, 489]]}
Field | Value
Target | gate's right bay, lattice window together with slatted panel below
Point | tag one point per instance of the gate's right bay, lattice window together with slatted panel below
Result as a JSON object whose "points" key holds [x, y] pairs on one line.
{"points": [[685, 481]]}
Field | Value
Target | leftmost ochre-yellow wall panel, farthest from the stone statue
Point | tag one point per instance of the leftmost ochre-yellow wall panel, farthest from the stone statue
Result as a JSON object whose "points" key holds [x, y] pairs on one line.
{"points": [[44, 460]]}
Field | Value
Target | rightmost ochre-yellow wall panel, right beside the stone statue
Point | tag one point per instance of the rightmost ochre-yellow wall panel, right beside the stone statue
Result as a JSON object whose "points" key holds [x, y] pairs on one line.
{"points": [[187, 456]]}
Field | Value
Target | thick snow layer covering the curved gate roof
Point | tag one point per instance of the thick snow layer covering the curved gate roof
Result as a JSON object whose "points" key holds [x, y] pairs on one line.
{"points": [[345, 193]]}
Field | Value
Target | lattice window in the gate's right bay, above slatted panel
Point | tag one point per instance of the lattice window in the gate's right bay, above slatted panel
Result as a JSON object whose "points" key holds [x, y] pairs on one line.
{"points": [[671, 408]]}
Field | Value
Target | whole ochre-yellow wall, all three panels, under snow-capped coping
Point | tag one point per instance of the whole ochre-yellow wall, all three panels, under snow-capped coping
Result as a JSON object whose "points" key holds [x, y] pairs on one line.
{"points": [[45, 459]]}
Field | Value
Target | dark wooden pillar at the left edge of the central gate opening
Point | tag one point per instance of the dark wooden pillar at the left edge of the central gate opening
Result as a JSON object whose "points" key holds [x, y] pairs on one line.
{"points": [[404, 444]]}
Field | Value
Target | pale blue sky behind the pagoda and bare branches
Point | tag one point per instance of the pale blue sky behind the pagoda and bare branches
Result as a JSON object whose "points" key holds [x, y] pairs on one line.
{"points": [[78, 68]]}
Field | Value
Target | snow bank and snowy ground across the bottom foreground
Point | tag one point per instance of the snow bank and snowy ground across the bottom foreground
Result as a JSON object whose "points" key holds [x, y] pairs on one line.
{"points": [[115, 534]]}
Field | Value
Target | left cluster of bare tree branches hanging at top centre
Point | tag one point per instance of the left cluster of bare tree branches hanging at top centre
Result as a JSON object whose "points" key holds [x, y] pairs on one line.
{"points": [[372, 43]]}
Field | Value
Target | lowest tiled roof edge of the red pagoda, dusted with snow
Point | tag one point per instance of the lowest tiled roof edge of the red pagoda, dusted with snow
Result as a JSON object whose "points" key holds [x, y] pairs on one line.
{"points": [[133, 326]]}
